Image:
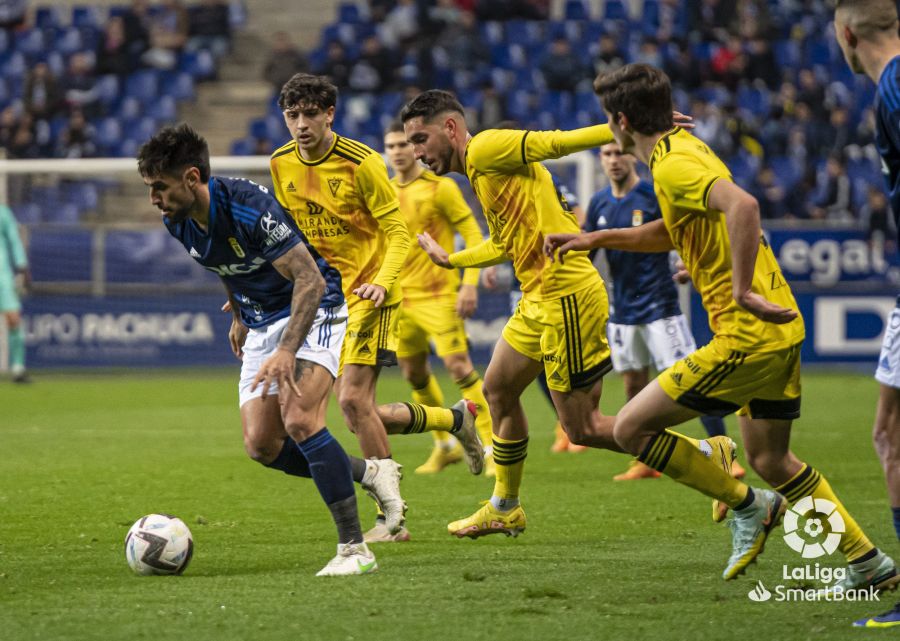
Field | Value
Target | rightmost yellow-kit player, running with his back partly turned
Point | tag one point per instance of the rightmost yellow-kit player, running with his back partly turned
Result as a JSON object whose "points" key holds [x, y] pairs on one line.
{"points": [[752, 364]]}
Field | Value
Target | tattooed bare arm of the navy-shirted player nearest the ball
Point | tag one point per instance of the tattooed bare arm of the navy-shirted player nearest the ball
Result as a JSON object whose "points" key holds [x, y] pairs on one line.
{"points": [[298, 267]]}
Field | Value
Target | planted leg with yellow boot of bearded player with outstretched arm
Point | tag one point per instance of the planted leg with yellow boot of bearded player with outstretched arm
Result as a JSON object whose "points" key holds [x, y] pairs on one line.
{"points": [[507, 376]]}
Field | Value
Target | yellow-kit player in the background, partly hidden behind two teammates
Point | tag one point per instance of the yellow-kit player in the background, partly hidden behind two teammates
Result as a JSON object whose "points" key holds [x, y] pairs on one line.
{"points": [[435, 302]]}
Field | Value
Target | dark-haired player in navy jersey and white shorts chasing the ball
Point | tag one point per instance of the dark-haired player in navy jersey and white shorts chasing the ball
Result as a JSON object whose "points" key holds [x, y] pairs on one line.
{"points": [[289, 317]]}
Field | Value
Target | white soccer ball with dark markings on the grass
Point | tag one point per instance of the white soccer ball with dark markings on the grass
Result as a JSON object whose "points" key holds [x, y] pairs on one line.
{"points": [[159, 544]]}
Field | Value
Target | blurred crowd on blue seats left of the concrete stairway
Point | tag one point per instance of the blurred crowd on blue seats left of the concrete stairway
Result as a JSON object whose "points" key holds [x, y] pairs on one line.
{"points": [[84, 82]]}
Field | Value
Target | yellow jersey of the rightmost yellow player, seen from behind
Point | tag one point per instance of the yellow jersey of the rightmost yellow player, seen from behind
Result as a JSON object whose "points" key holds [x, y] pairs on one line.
{"points": [[684, 170]]}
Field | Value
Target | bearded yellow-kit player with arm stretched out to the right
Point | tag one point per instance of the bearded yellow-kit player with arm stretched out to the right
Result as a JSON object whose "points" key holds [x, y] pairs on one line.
{"points": [[560, 323]]}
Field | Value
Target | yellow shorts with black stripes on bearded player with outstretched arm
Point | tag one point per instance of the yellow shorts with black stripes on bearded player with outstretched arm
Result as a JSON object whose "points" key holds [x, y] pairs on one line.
{"points": [[568, 334]]}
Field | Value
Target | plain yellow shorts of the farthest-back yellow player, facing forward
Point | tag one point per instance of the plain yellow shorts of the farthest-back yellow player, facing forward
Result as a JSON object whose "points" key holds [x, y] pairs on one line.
{"points": [[435, 319]]}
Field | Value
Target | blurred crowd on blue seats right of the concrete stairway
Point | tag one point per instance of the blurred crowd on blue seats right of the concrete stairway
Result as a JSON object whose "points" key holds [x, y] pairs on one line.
{"points": [[764, 80]]}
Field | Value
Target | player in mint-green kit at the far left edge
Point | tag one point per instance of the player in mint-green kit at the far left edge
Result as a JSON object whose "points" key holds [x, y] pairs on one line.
{"points": [[13, 276]]}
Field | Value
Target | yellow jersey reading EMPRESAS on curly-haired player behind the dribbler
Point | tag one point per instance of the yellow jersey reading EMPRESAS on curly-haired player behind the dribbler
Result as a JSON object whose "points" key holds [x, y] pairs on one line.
{"points": [[346, 207]]}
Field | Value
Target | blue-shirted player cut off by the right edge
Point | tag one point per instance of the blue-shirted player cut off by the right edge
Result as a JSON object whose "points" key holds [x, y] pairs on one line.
{"points": [[866, 31]]}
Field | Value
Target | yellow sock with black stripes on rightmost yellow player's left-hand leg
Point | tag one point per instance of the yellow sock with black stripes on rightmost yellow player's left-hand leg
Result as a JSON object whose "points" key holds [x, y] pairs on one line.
{"points": [[675, 456]]}
